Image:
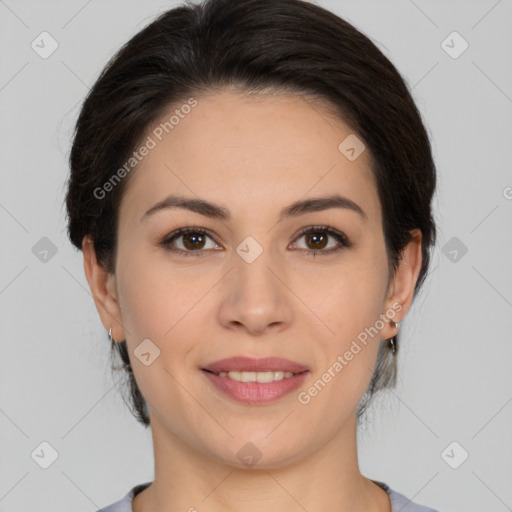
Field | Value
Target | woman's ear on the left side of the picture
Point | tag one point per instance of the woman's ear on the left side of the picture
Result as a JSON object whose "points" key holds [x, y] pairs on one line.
{"points": [[102, 285]]}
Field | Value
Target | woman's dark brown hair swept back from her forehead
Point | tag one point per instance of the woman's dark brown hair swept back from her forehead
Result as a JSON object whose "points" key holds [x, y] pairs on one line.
{"points": [[288, 46]]}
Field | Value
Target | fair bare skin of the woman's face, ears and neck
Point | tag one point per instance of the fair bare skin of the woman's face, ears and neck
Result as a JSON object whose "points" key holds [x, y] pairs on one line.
{"points": [[253, 157]]}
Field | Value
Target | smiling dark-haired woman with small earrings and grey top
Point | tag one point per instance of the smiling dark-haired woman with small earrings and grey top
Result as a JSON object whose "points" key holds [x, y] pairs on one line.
{"points": [[251, 187]]}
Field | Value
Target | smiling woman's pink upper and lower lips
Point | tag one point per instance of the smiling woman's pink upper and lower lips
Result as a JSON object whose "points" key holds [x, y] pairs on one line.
{"points": [[255, 392]]}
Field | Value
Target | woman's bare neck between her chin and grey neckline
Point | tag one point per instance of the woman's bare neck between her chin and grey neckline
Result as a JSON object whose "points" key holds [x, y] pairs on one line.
{"points": [[327, 478]]}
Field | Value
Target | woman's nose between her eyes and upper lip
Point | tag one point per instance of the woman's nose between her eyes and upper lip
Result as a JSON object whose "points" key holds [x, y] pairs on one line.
{"points": [[255, 298]]}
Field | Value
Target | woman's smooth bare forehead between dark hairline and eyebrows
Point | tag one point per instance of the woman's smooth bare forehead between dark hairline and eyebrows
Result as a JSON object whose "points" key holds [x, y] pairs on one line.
{"points": [[250, 151]]}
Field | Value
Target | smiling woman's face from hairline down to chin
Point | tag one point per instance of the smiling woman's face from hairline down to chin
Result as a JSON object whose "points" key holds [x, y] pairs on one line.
{"points": [[247, 285]]}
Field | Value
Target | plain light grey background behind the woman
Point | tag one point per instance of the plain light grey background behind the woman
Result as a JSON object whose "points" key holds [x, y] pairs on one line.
{"points": [[455, 380]]}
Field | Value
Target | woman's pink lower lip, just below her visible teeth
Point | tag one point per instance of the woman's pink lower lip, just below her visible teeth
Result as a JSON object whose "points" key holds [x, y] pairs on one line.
{"points": [[256, 392]]}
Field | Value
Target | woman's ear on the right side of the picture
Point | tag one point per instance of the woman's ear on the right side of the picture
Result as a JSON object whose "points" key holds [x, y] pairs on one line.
{"points": [[401, 288]]}
